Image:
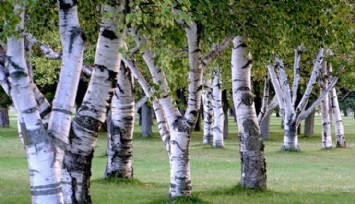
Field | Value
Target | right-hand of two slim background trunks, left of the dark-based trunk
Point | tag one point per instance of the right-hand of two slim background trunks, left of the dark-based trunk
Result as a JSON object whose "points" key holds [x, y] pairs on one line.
{"points": [[218, 141]]}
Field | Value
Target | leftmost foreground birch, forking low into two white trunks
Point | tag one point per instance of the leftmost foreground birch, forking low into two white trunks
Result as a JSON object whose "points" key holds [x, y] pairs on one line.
{"points": [[44, 147]]}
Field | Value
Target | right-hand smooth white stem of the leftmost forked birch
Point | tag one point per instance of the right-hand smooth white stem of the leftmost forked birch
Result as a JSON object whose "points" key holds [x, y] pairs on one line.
{"points": [[63, 104]]}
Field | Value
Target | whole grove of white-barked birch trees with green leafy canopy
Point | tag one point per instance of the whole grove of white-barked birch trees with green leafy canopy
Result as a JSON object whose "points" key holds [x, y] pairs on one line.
{"points": [[201, 46]]}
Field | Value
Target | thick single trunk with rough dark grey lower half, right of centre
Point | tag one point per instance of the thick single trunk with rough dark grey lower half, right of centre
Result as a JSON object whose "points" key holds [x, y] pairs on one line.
{"points": [[253, 165]]}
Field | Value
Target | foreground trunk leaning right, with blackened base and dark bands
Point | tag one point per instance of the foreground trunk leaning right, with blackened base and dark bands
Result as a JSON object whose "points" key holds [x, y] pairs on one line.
{"points": [[92, 112]]}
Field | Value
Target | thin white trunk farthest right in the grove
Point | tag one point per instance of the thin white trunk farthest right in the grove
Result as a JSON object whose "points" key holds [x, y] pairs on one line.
{"points": [[339, 128]]}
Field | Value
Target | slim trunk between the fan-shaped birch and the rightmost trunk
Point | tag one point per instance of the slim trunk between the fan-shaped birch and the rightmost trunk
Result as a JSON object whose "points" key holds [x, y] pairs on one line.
{"points": [[326, 124]]}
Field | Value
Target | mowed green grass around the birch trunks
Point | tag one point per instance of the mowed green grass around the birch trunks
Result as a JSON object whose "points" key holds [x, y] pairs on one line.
{"points": [[310, 176]]}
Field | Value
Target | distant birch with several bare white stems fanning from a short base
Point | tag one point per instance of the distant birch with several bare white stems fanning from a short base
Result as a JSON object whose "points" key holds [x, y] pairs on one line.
{"points": [[292, 115]]}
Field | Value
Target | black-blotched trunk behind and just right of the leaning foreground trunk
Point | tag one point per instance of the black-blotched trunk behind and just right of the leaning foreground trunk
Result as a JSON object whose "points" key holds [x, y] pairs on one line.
{"points": [[120, 129]]}
